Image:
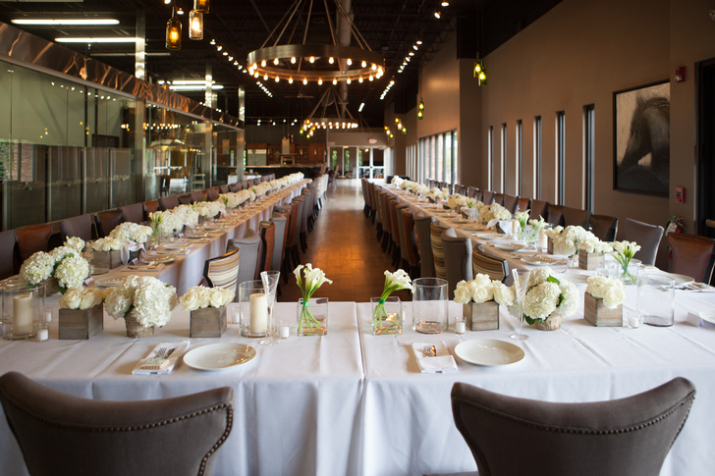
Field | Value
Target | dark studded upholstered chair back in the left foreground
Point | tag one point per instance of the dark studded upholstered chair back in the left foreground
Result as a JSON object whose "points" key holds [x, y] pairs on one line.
{"points": [[64, 434]]}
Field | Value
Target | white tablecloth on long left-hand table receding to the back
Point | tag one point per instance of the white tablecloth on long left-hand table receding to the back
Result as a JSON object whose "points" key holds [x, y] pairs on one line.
{"points": [[188, 270]]}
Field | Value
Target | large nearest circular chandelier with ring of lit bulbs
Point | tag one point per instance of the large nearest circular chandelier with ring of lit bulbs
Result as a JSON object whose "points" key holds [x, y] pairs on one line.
{"points": [[319, 63]]}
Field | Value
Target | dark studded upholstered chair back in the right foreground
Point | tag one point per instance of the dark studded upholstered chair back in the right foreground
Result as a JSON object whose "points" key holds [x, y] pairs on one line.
{"points": [[628, 436]]}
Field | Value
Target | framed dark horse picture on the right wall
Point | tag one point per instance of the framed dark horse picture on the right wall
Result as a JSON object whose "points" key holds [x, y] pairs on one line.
{"points": [[641, 139]]}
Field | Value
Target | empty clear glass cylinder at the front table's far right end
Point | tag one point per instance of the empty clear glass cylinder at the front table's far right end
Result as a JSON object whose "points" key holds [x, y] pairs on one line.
{"points": [[656, 299]]}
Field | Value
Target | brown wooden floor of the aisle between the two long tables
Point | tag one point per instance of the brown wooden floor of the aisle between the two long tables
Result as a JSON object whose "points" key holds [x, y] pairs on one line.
{"points": [[343, 244]]}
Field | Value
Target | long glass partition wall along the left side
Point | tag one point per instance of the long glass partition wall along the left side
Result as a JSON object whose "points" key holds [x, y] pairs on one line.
{"points": [[67, 149]]}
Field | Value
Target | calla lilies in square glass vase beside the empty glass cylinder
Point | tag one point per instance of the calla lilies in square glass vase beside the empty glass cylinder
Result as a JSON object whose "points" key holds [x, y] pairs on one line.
{"points": [[387, 310]]}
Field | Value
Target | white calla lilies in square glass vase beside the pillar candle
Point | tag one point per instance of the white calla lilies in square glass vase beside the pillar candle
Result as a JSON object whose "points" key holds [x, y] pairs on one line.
{"points": [[309, 280]]}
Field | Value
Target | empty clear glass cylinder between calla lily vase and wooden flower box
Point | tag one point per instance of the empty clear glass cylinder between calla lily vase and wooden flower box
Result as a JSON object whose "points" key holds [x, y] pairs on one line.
{"points": [[430, 306]]}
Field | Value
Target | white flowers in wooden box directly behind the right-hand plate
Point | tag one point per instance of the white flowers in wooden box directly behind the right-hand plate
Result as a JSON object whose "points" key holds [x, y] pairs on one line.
{"points": [[481, 298]]}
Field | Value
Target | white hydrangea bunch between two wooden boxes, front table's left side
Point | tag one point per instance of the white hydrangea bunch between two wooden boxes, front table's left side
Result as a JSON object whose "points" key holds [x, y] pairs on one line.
{"points": [[146, 299]]}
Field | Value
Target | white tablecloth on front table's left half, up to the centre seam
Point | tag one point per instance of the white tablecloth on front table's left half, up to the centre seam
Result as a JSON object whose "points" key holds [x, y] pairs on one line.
{"points": [[297, 404]]}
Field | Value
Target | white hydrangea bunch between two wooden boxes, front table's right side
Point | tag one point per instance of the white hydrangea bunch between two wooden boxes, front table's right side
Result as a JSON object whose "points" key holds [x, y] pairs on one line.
{"points": [[546, 295]]}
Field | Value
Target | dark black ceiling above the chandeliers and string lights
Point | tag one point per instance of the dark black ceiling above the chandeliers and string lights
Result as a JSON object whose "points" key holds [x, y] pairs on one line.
{"points": [[389, 26]]}
